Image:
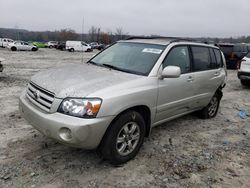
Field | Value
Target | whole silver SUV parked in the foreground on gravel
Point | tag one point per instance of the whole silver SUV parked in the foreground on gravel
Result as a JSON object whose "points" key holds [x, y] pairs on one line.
{"points": [[111, 102]]}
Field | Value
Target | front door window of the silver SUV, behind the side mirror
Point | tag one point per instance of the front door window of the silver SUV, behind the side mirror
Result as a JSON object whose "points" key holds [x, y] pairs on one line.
{"points": [[178, 56]]}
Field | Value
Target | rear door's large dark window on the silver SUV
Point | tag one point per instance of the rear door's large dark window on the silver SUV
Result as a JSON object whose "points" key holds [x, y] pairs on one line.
{"points": [[201, 58]]}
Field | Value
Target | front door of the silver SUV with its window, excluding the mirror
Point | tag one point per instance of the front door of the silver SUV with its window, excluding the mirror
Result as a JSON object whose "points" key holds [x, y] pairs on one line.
{"points": [[175, 94]]}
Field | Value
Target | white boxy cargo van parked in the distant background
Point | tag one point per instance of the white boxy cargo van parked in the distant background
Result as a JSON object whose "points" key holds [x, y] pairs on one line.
{"points": [[77, 46]]}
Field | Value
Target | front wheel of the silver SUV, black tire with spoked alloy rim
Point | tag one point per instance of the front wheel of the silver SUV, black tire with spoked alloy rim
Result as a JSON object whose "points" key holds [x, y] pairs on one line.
{"points": [[123, 139]]}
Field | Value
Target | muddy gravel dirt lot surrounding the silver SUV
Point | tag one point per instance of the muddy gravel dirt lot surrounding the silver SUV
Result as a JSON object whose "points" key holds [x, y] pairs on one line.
{"points": [[187, 152]]}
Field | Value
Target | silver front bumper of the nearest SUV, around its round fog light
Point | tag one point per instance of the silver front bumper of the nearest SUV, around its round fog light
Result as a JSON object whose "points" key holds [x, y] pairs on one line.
{"points": [[86, 133]]}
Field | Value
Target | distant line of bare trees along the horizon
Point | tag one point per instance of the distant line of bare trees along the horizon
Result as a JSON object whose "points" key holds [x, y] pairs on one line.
{"points": [[95, 34]]}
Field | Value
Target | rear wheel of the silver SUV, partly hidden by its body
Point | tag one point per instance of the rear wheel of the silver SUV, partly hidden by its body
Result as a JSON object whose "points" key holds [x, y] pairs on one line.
{"points": [[211, 109]]}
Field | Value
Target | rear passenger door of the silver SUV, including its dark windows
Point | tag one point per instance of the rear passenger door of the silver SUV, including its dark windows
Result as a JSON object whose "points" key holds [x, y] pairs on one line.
{"points": [[209, 74]]}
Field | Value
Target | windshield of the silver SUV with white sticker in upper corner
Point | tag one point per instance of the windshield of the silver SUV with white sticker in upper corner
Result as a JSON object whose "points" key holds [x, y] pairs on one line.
{"points": [[136, 58]]}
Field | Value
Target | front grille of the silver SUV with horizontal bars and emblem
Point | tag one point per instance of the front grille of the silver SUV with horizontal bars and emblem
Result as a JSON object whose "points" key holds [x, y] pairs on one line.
{"points": [[40, 97]]}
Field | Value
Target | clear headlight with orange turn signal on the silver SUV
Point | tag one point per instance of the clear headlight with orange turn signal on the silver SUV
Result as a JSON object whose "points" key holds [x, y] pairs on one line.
{"points": [[84, 108]]}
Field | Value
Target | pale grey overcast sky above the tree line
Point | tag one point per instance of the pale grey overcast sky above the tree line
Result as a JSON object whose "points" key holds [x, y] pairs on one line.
{"points": [[186, 18]]}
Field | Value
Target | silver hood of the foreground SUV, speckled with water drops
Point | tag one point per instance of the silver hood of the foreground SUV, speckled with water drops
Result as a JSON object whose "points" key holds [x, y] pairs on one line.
{"points": [[79, 80]]}
